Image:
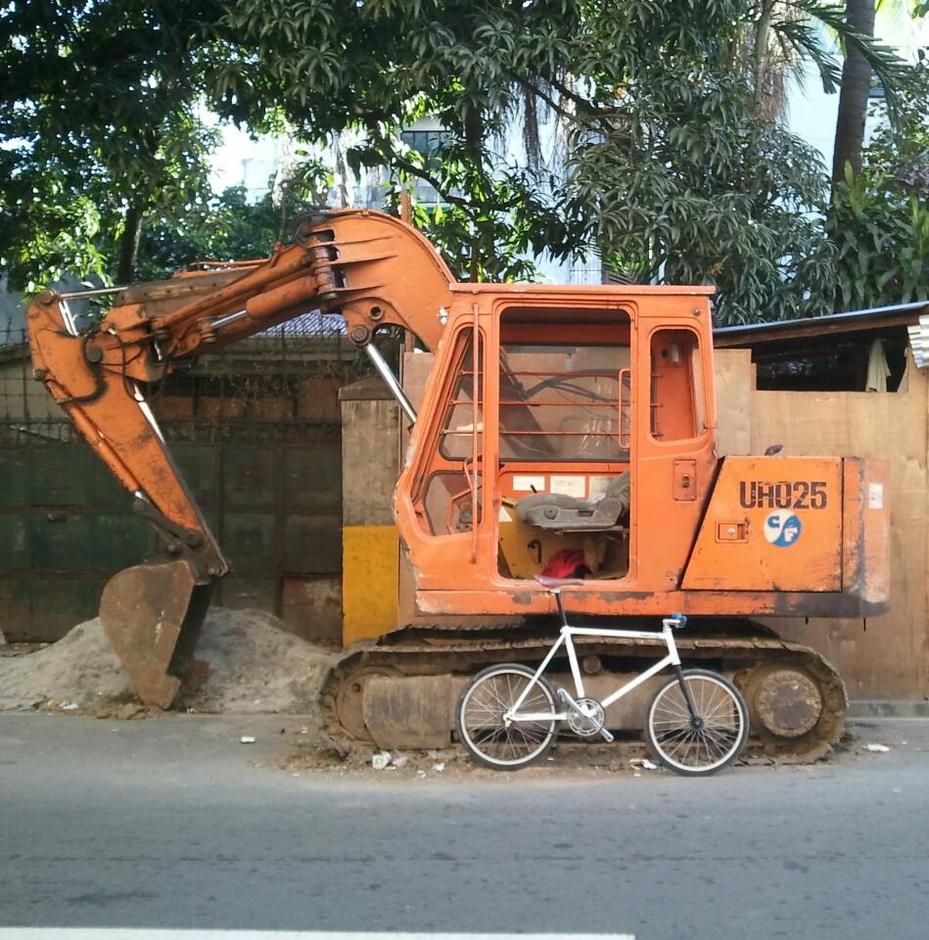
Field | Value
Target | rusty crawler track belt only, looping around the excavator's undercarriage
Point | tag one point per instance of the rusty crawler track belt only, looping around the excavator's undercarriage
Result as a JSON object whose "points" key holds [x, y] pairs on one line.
{"points": [[416, 653]]}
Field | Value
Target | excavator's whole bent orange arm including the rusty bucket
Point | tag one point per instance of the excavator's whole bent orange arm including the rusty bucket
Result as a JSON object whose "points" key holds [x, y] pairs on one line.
{"points": [[371, 268]]}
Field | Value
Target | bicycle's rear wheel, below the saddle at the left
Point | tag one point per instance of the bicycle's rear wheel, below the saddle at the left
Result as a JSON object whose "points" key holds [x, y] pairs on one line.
{"points": [[482, 729]]}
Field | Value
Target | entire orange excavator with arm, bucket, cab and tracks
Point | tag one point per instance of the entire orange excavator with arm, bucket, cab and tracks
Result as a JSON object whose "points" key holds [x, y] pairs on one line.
{"points": [[563, 430]]}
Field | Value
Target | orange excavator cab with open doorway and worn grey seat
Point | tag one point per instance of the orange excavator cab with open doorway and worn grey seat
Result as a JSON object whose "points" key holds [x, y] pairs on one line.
{"points": [[582, 440]]}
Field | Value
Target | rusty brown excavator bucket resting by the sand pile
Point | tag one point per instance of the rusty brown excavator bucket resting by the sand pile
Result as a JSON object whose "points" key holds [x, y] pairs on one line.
{"points": [[151, 615]]}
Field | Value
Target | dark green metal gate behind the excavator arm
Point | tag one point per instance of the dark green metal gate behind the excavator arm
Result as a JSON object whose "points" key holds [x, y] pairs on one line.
{"points": [[254, 430]]}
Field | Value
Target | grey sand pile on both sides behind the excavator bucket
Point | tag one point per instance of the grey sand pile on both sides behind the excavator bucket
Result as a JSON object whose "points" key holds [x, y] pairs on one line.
{"points": [[255, 667]]}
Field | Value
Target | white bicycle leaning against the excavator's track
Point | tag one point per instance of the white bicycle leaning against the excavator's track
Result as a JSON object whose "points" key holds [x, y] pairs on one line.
{"points": [[509, 715]]}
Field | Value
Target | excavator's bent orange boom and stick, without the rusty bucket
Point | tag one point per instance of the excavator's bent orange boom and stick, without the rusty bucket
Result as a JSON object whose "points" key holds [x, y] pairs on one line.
{"points": [[372, 268]]}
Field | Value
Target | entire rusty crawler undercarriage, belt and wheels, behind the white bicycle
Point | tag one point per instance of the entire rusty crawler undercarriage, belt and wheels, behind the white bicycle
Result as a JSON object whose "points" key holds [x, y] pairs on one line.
{"points": [[748, 661]]}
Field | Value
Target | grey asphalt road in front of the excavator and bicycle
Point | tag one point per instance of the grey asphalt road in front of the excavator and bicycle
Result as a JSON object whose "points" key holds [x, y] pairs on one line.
{"points": [[174, 823]]}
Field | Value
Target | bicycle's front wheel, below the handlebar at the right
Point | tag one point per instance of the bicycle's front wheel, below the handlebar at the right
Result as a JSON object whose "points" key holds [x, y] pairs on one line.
{"points": [[704, 743]]}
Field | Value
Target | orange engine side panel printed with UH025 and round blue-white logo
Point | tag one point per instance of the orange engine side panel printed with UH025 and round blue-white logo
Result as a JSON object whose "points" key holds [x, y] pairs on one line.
{"points": [[772, 524]]}
